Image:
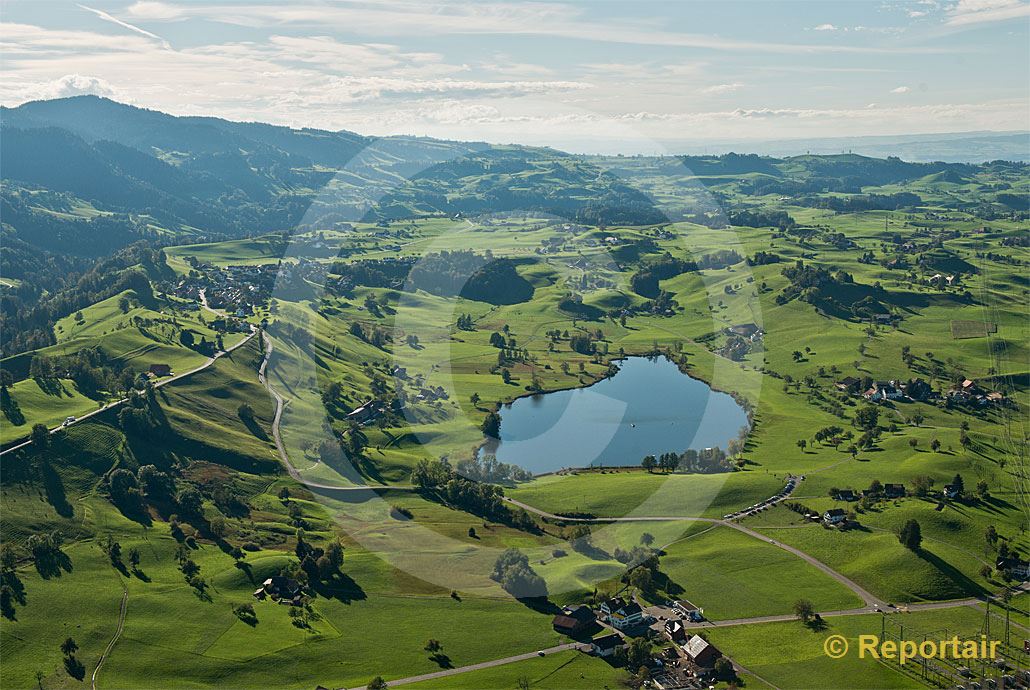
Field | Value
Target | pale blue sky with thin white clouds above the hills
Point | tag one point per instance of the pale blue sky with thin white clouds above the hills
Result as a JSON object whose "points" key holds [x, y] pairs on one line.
{"points": [[601, 77]]}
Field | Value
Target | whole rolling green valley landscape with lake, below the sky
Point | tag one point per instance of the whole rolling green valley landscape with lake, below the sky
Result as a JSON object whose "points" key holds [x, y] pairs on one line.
{"points": [[269, 455]]}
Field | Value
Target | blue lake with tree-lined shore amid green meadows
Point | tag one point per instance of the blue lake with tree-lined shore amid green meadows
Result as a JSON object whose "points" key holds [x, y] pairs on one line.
{"points": [[649, 407]]}
